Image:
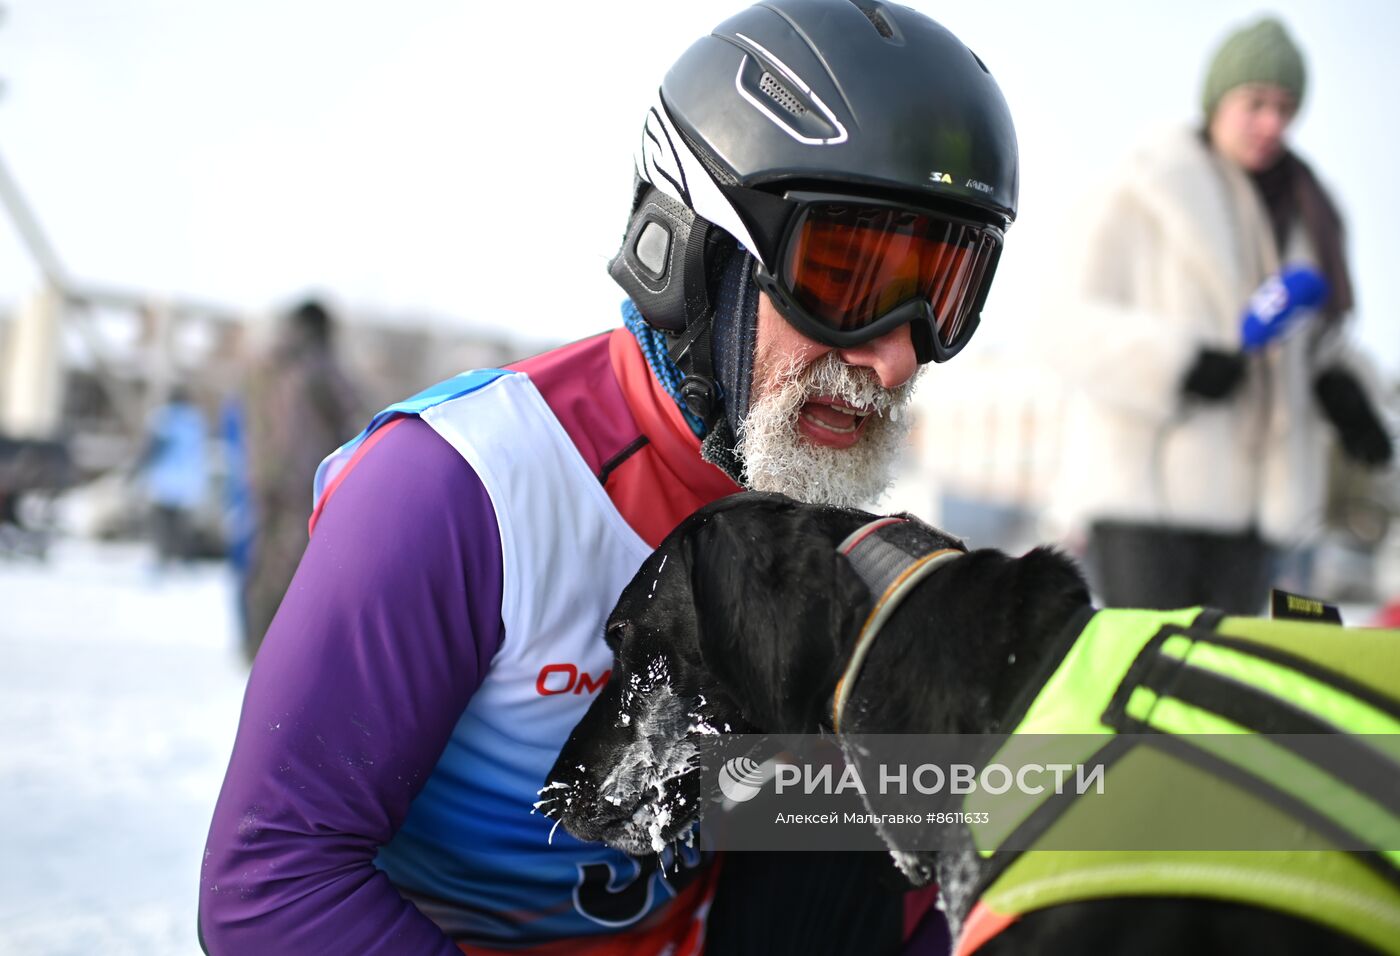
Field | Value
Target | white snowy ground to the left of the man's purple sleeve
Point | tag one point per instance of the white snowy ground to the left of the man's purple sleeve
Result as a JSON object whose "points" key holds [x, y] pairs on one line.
{"points": [[120, 694]]}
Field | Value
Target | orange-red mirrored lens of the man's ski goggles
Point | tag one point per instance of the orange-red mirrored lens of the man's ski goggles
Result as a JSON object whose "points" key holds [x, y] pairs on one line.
{"points": [[849, 267]]}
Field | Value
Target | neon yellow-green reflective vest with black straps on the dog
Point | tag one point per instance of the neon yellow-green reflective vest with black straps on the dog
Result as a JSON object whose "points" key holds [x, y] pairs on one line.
{"points": [[1186, 681]]}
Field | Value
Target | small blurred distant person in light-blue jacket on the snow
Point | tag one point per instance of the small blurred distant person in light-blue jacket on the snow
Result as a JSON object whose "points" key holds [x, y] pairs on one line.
{"points": [[176, 472]]}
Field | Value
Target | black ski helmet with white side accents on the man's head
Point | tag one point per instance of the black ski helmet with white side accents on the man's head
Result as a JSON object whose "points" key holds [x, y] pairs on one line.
{"points": [[852, 96]]}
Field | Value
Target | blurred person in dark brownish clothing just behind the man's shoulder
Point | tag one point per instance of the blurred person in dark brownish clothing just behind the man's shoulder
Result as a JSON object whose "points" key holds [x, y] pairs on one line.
{"points": [[300, 407]]}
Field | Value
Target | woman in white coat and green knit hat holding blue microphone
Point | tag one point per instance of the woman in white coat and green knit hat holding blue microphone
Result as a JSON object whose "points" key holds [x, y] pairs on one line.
{"points": [[1200, 331]]}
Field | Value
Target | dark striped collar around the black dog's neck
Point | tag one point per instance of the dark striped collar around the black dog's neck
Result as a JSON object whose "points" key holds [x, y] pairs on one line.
{"points": [[891, 563]]}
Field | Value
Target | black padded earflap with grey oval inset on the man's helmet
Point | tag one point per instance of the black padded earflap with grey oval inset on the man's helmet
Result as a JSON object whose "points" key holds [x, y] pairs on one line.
{"points": [[650, 265]]}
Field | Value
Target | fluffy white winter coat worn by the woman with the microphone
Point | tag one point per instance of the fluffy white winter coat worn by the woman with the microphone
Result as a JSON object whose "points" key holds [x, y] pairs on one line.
{"points": [[1170, 257]]}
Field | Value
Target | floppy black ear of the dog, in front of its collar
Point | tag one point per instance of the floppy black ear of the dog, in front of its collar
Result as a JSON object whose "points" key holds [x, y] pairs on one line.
{"points": [[778, 610]]}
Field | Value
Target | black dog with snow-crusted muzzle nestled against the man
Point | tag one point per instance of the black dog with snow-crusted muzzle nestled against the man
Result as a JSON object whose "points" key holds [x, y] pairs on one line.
{"points": [[745, 621]]}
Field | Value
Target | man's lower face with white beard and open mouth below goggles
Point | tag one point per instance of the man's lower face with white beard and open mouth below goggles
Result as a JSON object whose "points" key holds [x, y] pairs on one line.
{"points": [[825, 425]]}
